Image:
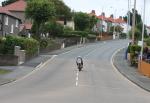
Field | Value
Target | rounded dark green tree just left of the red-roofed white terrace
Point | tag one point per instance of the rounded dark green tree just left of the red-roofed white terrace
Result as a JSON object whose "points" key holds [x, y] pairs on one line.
{"points": [[82, 21]]}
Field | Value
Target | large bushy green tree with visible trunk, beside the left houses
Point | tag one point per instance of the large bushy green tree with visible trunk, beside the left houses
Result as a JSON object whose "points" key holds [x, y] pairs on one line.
{"points": [[39, 11]]}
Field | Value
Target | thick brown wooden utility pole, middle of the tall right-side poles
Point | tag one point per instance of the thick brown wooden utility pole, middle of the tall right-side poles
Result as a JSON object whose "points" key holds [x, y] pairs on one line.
{"points": [[133, 23]]}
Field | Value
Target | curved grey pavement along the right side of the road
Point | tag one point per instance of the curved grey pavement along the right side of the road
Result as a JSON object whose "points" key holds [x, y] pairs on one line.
{"points": [[130, 72]]}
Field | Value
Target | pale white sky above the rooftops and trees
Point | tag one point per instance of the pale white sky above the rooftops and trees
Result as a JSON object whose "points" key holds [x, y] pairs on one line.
{"points": [[115, 7]]}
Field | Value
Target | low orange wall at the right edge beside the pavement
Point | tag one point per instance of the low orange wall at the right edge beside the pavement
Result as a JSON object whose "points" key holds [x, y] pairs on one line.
{"points": [[144, 68]]}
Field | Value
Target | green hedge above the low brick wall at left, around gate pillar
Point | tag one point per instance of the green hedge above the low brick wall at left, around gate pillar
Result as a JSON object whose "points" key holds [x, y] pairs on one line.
{"points": [[7, 45]]}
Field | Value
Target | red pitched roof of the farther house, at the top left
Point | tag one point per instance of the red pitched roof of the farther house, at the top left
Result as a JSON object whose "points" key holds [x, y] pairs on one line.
{"points": [[19, 5]]}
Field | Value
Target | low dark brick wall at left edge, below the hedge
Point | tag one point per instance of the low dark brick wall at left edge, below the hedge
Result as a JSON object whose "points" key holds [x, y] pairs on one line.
{"points": [[8, 60]]}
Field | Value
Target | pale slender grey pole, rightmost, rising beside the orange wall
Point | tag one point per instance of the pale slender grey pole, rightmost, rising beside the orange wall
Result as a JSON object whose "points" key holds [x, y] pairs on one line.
{"points": [[143, 29]]}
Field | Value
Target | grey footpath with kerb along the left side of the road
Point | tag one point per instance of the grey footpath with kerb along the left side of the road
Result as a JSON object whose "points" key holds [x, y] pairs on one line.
{"points": [[31, 65]]}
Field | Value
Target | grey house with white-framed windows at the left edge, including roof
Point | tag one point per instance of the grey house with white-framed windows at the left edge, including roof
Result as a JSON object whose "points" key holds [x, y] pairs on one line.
{"points": [[9, 23]]}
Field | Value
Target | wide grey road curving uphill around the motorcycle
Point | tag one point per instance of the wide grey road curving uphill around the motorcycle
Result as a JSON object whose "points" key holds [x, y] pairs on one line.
{"points": [[58, 82]]}
